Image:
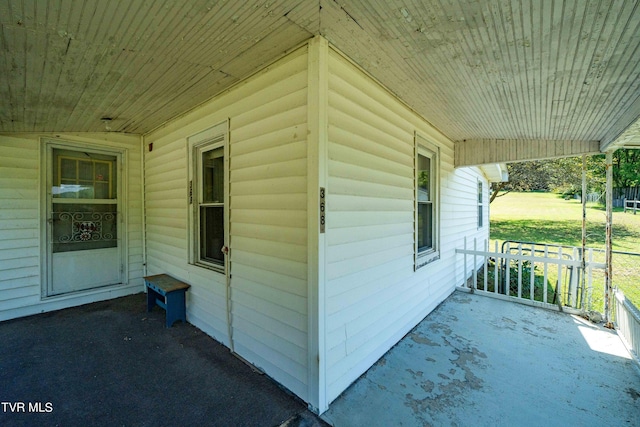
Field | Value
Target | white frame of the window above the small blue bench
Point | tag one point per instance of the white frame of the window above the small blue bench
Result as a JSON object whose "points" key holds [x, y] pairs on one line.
{"points": [[209, 139]]}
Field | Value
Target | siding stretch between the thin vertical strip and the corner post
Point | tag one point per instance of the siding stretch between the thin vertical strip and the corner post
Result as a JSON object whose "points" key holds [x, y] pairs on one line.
{"points": [[268, 200]]}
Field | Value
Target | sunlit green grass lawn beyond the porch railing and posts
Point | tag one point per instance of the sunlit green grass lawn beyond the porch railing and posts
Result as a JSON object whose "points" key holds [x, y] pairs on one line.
{"points": [[548, 218]]}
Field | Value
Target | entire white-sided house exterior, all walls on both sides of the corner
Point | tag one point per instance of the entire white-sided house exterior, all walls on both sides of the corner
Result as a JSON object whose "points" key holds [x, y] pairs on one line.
{"points": [[313, 310]]}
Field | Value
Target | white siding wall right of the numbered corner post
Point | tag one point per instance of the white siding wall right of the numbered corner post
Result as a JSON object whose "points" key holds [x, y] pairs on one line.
{"points": [[373, 296]]}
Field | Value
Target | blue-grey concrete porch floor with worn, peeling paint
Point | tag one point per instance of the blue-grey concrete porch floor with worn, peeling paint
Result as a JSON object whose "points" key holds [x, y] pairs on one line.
{"points": [[479, 361]]}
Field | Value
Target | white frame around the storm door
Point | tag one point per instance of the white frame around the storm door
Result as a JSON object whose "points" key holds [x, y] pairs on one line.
{"points": [[46, 179]]}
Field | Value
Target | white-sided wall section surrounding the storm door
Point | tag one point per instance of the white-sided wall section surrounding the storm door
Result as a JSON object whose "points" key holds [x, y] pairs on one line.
{"points": [[22, 222]]}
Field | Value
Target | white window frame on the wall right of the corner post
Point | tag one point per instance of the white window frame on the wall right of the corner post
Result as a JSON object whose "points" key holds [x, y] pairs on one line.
{"points": [[424, 147]]}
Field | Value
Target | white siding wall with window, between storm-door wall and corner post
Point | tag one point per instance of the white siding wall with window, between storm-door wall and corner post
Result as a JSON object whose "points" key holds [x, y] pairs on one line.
{"points": [[267, 116]]}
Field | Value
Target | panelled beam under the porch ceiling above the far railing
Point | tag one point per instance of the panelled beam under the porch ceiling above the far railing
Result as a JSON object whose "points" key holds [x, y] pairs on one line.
{"points": [[474, 152]]}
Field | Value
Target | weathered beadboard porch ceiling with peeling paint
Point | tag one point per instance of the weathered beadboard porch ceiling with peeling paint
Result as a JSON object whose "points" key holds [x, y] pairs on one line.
{"points": [[523, 70]]}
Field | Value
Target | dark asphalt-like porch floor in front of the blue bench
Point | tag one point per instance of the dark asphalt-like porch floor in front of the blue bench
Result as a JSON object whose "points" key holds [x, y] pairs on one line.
{"points": [[113, 364]]}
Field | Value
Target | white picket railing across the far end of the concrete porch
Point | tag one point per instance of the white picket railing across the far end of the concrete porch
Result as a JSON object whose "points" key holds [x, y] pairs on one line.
{"points": [[536, 274]]}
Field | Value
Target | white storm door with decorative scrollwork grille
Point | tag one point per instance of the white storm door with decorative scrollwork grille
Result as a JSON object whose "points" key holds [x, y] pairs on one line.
{"points": [[83, 237]]}
